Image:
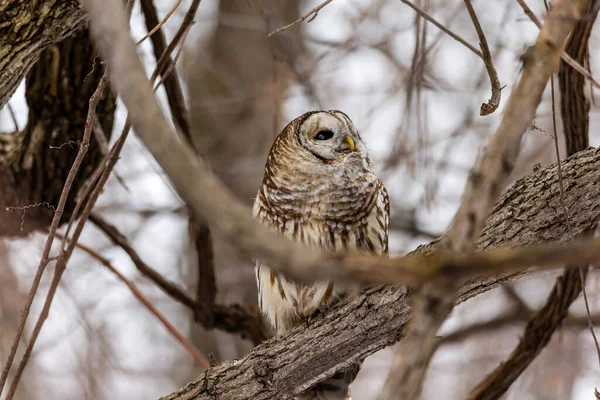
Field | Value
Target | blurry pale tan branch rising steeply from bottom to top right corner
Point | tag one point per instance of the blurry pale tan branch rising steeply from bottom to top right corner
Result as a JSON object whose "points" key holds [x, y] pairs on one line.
{"points": [[481, 192]]}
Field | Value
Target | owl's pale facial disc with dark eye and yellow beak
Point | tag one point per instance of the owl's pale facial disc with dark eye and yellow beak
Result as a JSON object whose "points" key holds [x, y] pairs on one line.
{"points": [[329, 136]]}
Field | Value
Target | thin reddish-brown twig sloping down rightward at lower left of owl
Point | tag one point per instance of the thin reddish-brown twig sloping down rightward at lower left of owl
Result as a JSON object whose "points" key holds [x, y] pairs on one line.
{"points": [[198, 357]]}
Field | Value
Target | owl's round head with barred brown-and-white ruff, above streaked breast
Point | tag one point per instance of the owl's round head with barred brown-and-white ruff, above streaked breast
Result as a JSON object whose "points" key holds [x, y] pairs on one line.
{"points": [[319, 158]]}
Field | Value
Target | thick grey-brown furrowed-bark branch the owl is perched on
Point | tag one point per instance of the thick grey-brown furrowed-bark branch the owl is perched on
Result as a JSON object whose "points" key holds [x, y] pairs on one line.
{"points": [[528, 214]]}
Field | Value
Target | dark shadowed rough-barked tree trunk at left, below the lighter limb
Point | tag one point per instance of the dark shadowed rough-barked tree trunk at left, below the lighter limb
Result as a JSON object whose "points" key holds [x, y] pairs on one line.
{"points": [[34, 162]]}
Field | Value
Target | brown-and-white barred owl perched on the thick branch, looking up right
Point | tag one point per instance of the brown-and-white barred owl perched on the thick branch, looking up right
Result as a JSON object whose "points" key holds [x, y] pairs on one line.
{"points": [[319, 188]]}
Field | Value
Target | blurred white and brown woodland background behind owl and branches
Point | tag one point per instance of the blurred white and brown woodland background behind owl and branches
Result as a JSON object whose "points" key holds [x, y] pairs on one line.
{"points": [[414, 94]]}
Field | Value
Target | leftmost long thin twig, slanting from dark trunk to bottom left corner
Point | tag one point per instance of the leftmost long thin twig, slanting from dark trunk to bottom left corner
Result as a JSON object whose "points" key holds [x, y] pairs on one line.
{"points": [[94, 99]]}
